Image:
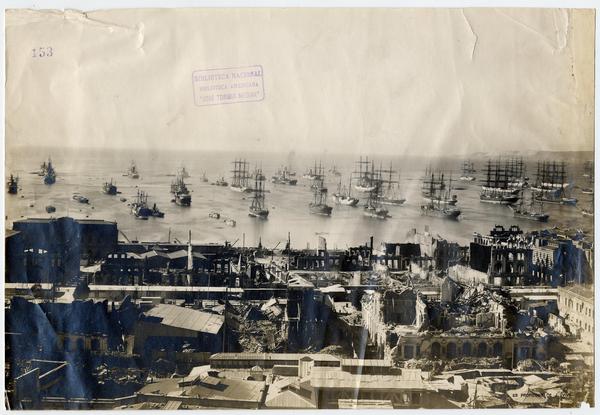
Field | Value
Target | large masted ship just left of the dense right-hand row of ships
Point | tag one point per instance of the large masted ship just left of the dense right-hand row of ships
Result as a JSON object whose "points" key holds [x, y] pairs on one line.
{"points": [[436, 195]]}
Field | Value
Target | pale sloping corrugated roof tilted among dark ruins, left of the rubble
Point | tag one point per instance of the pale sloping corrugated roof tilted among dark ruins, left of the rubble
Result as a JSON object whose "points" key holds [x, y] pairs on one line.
{"points": [[187, 318]]}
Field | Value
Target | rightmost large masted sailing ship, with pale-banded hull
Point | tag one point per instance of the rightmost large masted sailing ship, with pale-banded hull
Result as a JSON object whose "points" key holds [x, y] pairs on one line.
{"points": [[551, 185]]}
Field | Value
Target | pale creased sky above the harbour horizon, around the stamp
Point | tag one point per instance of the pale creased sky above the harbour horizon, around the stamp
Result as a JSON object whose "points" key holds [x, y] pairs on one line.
{"points": [[364, 81]]}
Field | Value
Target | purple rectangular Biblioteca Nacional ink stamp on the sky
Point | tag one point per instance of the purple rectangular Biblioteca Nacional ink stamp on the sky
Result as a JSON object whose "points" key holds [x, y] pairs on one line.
{"points": [[228, 85]]}
